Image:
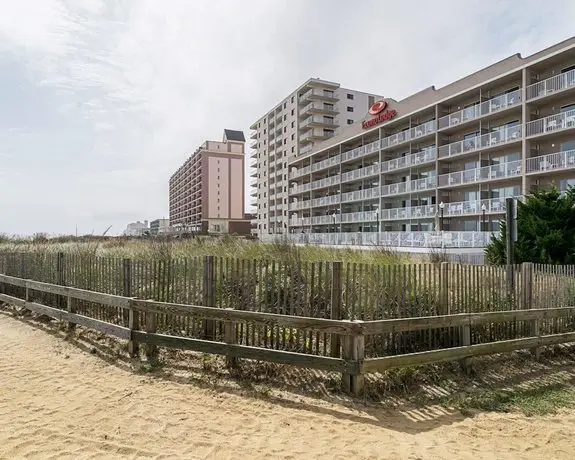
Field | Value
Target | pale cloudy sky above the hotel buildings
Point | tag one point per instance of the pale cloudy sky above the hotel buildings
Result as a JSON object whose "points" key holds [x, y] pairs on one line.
{"points": [[102, 100]]}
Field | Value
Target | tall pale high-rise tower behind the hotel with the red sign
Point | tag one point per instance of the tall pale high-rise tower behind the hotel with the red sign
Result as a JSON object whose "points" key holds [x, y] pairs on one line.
{"points": [[315, 111]]}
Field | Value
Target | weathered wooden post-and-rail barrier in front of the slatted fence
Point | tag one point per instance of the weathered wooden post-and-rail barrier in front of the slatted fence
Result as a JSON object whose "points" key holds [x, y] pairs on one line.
{"points": [[347, 358]]}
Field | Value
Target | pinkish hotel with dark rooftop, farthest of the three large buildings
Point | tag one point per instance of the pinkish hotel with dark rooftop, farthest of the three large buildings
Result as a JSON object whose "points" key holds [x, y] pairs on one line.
{"points": [[207, 191]]}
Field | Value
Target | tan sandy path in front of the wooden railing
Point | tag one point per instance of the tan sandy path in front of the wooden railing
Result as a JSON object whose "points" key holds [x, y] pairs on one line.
{"points": [[57, 401]]}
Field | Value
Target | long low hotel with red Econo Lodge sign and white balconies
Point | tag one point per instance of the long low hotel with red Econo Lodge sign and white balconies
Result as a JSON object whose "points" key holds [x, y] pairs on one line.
{"points": [[434, 169]]}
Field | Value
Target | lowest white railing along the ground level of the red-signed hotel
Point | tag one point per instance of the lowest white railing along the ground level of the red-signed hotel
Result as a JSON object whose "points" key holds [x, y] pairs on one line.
{"points": [[397, 239]]}
